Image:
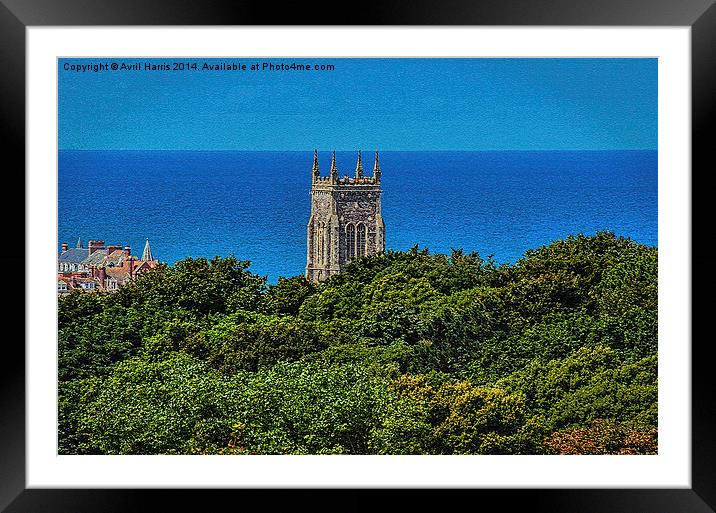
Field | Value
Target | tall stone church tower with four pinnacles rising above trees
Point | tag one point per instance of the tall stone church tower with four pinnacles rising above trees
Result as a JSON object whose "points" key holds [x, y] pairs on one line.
{"points": [[346, 220]]}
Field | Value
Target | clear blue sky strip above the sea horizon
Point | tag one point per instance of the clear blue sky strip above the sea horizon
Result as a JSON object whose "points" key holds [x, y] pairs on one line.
{"points": [[388, 104]]}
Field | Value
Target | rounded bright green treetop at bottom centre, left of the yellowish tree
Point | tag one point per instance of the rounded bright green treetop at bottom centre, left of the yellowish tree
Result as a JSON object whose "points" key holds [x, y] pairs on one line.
{"points": [[308, 409]]}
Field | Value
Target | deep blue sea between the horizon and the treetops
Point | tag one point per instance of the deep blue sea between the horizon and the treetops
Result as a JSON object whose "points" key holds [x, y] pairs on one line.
{"points": [[255, 205]]}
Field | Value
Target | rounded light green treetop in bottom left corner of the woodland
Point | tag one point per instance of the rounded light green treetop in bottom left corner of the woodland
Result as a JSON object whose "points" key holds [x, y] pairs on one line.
{"points": [[146, 407]]}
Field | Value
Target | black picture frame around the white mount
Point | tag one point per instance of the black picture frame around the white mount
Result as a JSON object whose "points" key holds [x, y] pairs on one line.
{"points": [[17, 15]]}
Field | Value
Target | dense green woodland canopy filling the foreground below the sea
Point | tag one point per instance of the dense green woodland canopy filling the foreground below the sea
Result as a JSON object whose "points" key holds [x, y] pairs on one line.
{"points": [[403, 353]]}
